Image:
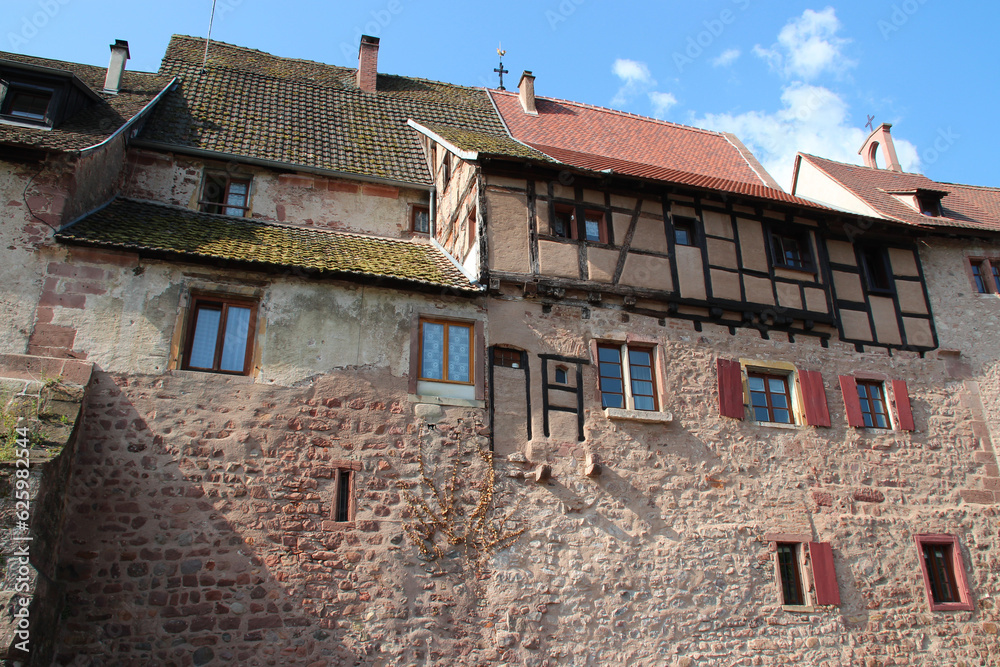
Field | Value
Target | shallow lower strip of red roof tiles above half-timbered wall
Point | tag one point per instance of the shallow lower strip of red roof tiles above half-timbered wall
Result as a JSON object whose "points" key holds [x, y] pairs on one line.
{"points": [[600, 163]]}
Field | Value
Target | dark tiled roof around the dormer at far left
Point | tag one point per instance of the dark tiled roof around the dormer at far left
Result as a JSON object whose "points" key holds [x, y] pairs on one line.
{"points": [[93, 124]]}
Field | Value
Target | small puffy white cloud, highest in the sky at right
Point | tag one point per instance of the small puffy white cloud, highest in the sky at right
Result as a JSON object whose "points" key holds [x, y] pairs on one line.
{"points": [[808, 46]]}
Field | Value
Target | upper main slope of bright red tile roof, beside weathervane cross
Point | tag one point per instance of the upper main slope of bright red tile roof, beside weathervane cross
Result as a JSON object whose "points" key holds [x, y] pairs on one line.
{"points": [[606, 133]]}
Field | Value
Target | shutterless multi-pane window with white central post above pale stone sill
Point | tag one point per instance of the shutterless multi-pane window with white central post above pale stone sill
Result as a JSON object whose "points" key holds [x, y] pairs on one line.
{"points": [[628, 386]]}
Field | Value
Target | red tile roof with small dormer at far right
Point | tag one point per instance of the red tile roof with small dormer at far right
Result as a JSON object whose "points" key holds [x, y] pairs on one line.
{"points": [[964, 206]]}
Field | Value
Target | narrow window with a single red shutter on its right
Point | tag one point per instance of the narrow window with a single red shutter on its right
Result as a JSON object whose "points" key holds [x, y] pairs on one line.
{"points": [[804, 571]]}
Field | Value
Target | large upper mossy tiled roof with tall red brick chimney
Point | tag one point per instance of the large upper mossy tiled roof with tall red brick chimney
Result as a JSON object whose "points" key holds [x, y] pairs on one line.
{"points": [[255, 105]]}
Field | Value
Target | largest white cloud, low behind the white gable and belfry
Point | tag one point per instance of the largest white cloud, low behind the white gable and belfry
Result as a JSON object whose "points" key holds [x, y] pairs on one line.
{"points": [[813, 119]]}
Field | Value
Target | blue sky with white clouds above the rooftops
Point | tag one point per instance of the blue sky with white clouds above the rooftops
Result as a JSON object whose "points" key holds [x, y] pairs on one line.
{"points": [[784, 76]]}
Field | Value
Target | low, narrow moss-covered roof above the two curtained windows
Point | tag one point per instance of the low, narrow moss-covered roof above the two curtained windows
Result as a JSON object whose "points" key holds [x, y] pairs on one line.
{"points": [[158, 229]]}
